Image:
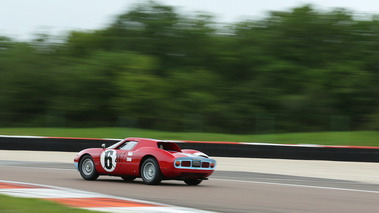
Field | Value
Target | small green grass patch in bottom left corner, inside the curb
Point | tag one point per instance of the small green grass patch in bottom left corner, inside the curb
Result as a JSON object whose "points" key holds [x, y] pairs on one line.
{"points": [[32, 205]]}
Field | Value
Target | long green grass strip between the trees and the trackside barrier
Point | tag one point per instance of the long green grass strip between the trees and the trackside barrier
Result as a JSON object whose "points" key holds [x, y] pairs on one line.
{"points": [[357, 138]]}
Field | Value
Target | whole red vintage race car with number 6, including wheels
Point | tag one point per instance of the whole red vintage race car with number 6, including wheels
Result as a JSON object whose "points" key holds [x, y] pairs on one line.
{"points": [[152, 160]]}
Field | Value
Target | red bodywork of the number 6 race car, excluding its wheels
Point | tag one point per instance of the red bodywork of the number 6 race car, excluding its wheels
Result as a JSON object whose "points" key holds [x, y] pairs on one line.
{"points": [[117, 161]]}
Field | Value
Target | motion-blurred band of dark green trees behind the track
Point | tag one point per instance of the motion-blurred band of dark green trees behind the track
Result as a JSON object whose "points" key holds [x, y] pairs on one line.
{"points": [[300, 70]]}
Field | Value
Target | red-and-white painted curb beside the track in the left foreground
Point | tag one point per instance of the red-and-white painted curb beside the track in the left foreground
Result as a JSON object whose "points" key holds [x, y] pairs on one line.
{"points": [[88, 200]]}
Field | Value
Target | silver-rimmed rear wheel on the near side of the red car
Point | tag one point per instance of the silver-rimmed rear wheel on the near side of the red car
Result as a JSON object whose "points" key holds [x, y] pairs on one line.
{"points": [[150, 172]]}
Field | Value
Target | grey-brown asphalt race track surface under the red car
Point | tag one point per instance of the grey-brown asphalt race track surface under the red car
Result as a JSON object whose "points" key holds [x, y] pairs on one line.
{"points": [[224, 192]]}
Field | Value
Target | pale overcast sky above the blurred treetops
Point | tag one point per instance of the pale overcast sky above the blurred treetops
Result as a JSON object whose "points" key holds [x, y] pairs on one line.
{"points": [[22, 19]]}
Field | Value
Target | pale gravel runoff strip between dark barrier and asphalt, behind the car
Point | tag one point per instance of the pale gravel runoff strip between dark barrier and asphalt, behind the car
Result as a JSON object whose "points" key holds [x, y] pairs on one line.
{"points": [[350, 171]]}
